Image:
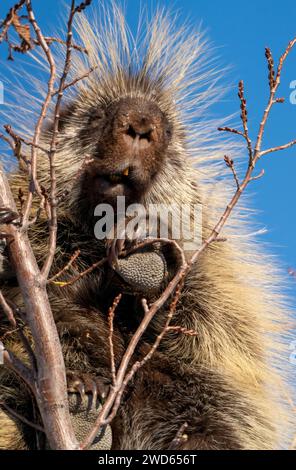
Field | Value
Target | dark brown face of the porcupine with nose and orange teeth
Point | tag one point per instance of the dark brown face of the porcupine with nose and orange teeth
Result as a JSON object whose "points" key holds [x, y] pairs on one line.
{"points": [[129, 139]]}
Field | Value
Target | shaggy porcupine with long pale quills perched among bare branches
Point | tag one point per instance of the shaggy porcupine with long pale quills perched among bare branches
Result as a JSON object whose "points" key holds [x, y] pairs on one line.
{"points": [[140, 119]]}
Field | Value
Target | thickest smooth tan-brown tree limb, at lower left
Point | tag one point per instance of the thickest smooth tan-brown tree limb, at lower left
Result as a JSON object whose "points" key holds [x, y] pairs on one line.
{"points": [[50, 387]]}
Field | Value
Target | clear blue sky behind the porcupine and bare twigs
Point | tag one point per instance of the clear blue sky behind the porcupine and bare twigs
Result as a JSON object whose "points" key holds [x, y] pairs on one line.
{"points": [[241, 30]]}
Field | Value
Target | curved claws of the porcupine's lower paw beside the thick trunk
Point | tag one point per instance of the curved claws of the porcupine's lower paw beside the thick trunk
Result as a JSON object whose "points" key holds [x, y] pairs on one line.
{"points": [[86, 384]]}
